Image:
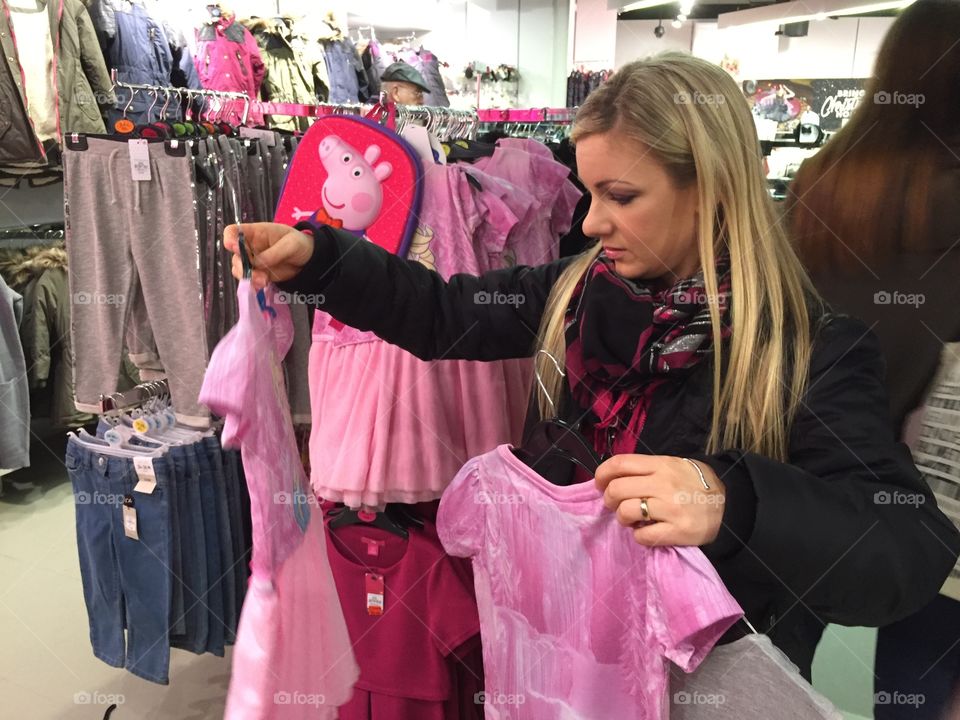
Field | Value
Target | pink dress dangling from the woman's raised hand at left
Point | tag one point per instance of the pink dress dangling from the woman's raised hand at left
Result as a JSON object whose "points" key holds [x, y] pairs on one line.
{"points": [[293, 658]]}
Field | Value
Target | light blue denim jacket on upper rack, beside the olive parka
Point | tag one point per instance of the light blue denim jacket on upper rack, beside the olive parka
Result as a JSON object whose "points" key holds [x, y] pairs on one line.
{"points": [[136, 46]]}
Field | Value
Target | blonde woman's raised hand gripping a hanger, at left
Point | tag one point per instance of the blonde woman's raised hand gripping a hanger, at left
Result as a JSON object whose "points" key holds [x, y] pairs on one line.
{"points": [[278, 252]]}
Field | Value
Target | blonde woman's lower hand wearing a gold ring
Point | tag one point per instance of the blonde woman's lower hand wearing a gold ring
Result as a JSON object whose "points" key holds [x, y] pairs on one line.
{"points": [[680, 511]]}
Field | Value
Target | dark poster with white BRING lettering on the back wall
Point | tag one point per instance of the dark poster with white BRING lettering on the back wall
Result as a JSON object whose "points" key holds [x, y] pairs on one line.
{"points": [[784, 104]]}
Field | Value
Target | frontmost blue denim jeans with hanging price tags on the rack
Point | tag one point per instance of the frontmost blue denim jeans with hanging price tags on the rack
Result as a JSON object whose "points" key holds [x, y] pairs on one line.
{"points": [[126, 582]]}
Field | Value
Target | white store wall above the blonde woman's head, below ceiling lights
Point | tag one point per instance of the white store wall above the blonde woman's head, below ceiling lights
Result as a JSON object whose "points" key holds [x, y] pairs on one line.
{"points": [[841, 48]]}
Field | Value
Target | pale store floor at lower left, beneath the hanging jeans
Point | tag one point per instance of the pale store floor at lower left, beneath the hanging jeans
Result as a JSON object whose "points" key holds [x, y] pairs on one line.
{"points": [[47, 670]]}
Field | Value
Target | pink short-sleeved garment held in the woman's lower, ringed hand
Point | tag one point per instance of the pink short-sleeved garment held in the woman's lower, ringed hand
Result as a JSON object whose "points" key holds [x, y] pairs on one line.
{"points": [[578, 619]]}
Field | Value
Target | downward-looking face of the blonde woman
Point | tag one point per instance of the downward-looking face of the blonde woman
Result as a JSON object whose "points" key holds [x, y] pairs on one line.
{"points": [[645, 224]]}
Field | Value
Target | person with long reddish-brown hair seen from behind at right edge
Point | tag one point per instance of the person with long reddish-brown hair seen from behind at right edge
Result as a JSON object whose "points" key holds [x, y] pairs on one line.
{"points": [[876, 219]]}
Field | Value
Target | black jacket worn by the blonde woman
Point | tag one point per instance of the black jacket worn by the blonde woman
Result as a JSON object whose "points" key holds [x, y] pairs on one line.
{"points": [[829, 537]]}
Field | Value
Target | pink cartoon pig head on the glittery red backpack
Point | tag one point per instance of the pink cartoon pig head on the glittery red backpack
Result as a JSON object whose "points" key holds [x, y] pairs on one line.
{"points": [[352, 191]]}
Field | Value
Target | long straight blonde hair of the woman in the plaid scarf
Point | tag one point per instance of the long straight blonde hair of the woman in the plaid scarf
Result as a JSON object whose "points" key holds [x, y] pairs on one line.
{"points": [[692, 117]]}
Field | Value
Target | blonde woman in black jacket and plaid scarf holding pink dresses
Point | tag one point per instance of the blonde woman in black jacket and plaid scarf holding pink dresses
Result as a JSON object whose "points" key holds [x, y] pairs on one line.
{"points": [[737, 413]]}
